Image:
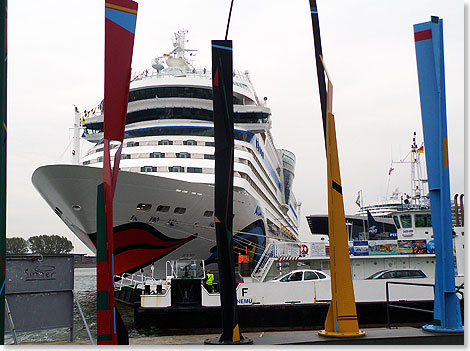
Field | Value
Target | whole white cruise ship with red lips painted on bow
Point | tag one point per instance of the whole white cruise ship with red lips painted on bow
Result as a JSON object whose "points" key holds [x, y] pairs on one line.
{"points": [[164, 204]]}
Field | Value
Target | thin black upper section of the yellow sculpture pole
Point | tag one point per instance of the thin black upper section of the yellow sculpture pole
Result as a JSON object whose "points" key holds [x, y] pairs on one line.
{"points": [[320, 69]]}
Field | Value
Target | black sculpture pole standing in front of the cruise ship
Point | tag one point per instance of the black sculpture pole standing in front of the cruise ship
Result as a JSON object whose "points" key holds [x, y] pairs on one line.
{"points": [[222, 87]]}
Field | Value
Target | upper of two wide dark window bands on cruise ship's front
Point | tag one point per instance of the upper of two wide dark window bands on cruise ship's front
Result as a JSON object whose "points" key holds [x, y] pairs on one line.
{"points": [[166, 92]]}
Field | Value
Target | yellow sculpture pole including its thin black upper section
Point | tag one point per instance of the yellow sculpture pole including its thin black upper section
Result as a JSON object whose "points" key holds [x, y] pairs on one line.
{"points": [[341, 320]]}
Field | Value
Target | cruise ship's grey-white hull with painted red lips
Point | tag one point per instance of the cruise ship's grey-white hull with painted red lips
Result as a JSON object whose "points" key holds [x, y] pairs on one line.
{"points": [[178, 223]]}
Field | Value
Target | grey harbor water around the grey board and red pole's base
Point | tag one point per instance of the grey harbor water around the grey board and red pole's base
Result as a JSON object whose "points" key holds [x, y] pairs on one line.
{"points": [[85, 290]]}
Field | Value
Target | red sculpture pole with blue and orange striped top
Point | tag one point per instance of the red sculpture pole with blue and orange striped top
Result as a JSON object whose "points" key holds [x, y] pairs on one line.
{"points": [[120, 21]]}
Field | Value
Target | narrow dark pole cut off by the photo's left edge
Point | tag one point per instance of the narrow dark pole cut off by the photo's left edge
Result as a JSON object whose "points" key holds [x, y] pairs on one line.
{"points": [[3, 161]]}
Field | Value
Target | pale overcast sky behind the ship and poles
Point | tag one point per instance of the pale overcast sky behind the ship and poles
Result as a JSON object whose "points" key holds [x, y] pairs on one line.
{"points": [[56, 58]]}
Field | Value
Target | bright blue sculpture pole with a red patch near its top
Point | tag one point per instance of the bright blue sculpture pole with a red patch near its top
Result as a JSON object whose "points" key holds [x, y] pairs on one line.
{"points": [[429, 45]]}
